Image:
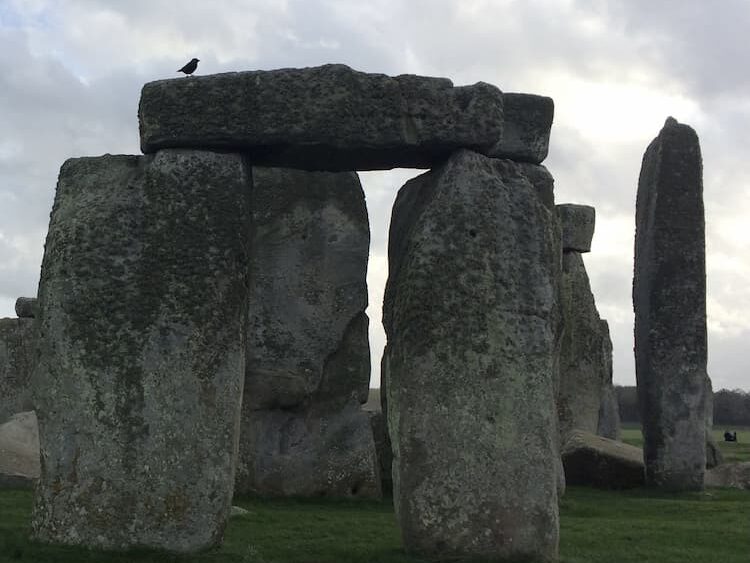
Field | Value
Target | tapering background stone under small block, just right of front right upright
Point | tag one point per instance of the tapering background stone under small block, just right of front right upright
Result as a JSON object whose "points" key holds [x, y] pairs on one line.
{"points": [[586, 351]]}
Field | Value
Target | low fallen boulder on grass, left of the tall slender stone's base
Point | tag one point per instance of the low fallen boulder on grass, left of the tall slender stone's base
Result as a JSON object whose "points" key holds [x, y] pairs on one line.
{"points": [[600, 462]]}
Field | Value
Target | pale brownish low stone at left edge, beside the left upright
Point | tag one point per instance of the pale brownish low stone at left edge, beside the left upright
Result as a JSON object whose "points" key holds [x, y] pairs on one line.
{"points": [[19, 451]]}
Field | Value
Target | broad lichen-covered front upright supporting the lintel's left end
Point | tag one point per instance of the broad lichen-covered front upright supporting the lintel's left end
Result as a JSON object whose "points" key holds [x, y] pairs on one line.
{"points": [[142, 305]]}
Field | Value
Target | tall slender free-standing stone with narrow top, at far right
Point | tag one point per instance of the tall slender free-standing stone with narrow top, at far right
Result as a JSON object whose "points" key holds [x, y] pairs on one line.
{"points": [[669, 298]]}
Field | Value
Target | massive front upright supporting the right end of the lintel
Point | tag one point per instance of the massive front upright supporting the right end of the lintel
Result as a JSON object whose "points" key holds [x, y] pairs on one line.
{"points": [[470, 313]]}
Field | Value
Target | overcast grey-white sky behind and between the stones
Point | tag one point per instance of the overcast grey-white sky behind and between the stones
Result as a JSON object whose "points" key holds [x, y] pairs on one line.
{"points": [[71, 73]]}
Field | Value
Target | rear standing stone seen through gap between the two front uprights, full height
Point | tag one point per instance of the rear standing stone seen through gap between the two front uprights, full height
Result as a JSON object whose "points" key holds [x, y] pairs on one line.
{"points": [[308, 356]]}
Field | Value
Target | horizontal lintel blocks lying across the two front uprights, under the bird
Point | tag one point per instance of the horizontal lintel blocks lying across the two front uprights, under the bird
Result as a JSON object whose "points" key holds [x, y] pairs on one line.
{"points": [[334, 118]]}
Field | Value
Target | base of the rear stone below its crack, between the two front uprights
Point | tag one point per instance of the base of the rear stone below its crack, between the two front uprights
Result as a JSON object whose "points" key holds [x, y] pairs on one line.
{"points": [[309, 453]]}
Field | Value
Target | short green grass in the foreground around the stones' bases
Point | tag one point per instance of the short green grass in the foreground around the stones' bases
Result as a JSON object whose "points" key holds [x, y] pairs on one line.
{"points": [[596, 527]]}
